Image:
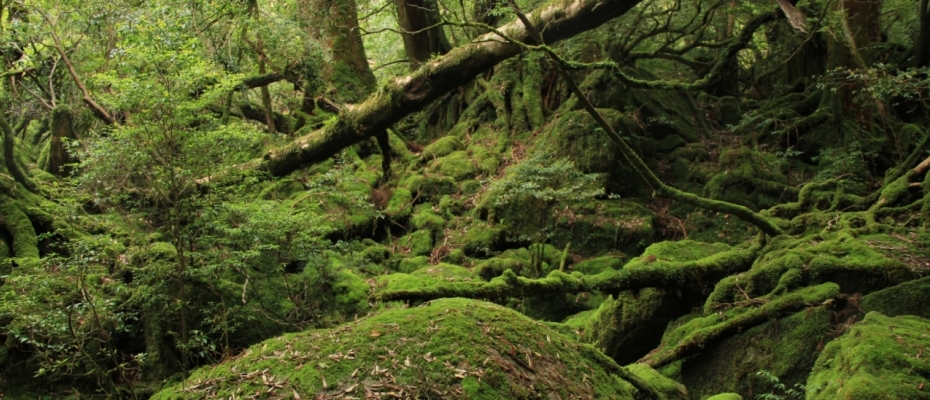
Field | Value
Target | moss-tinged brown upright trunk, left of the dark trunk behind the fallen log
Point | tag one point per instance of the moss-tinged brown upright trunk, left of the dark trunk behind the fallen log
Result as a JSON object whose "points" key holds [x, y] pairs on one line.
{"points": [[335, 24]]}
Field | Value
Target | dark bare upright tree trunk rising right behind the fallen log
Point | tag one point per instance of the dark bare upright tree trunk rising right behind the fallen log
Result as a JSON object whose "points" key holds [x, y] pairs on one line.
{"points": [[422, 38]]}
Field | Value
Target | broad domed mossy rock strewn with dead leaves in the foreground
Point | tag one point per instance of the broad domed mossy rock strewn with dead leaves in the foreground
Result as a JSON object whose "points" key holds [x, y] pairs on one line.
{"points": [[450, 348]]}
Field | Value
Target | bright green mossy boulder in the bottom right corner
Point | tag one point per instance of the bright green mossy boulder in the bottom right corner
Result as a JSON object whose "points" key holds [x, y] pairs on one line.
{"points": [[880, 358]]}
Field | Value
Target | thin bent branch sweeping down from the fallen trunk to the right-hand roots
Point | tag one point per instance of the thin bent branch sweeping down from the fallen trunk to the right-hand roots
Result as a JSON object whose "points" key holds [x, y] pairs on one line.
{"points": [[661, 189]]}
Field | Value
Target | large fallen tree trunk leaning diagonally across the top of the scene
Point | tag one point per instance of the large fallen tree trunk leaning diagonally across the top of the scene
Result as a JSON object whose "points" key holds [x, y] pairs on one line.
{"points": [[402, 96]]}
